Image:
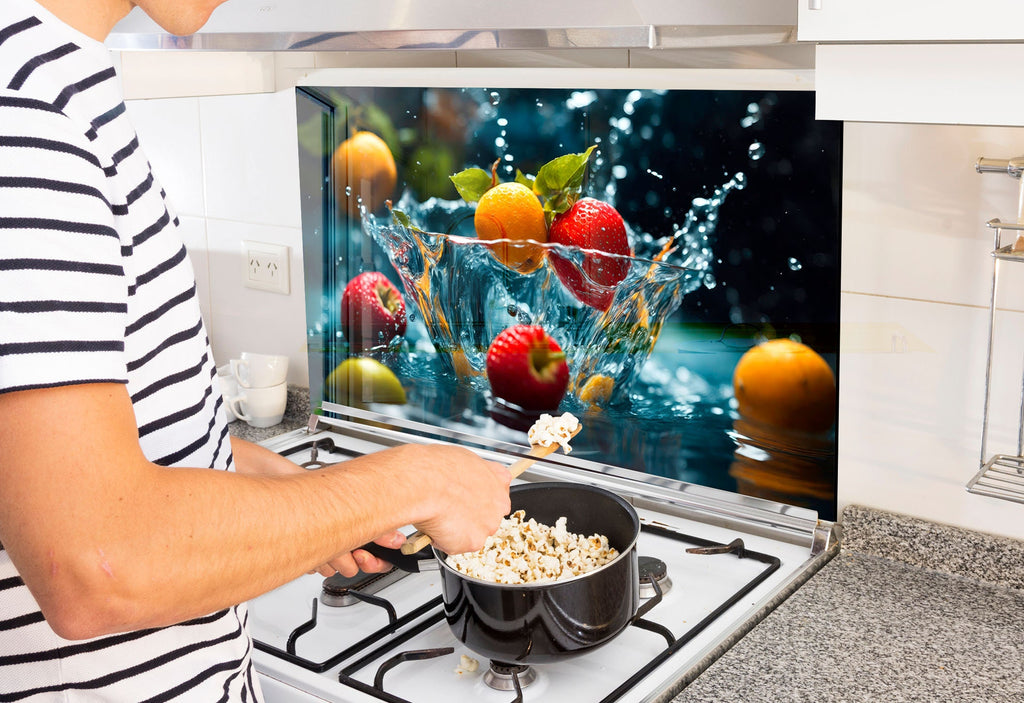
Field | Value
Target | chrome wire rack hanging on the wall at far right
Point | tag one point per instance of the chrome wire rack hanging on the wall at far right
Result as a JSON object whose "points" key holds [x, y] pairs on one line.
{"points": [[1002, 476]]}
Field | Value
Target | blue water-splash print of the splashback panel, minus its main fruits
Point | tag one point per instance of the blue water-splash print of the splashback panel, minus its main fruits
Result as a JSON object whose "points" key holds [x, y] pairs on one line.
{"points": [[745, 183]]}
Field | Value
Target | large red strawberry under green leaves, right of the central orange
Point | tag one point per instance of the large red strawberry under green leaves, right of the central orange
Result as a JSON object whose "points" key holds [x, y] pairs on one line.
{"points": [[591, 225]]}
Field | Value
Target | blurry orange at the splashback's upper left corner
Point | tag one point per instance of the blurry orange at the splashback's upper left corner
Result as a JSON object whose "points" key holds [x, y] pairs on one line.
{"points": [[364, 168]]}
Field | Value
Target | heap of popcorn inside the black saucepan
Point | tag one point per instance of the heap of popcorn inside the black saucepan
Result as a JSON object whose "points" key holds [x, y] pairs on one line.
{"points": [[527, 552]]}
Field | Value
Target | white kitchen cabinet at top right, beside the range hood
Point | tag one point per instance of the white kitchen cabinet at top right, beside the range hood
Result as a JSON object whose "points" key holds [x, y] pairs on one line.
{"points": [[917, 62]]}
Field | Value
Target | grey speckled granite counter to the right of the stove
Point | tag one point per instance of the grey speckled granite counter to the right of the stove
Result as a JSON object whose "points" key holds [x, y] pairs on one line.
{"points": [[908, 611]]}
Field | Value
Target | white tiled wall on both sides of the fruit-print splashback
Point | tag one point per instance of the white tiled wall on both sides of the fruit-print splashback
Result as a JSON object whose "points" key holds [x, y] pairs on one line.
{"points": [[916, 284]]}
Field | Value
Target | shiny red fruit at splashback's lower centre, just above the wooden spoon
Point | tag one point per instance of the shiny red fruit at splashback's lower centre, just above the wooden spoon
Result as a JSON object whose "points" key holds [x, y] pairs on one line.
{"points": [[528, 369]]}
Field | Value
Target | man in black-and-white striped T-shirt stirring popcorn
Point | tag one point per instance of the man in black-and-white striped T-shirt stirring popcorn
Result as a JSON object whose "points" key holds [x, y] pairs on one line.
{"points": [[132, 523]]}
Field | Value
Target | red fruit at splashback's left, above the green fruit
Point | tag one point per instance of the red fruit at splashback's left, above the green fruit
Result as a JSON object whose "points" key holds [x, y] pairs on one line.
{"points": [[373, 313]]}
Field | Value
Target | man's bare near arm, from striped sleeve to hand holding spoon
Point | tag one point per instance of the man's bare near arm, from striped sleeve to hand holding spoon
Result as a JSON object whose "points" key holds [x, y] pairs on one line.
{"points": [[108, 542]]}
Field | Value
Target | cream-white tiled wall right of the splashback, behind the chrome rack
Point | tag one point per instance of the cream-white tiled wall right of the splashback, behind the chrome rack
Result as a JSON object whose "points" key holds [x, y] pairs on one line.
{"points": [[917, 282]]}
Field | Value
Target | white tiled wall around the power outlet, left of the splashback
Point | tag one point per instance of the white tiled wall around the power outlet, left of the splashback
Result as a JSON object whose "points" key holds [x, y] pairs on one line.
{"points": [[230, 165]]}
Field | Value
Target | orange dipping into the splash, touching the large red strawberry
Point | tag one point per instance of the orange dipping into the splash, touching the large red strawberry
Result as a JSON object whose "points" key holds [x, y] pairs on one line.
{"points": [[511, 211]]}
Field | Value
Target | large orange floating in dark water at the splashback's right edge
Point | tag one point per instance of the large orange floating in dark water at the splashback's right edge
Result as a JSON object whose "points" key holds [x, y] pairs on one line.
{"points": [[786, 384]]}
